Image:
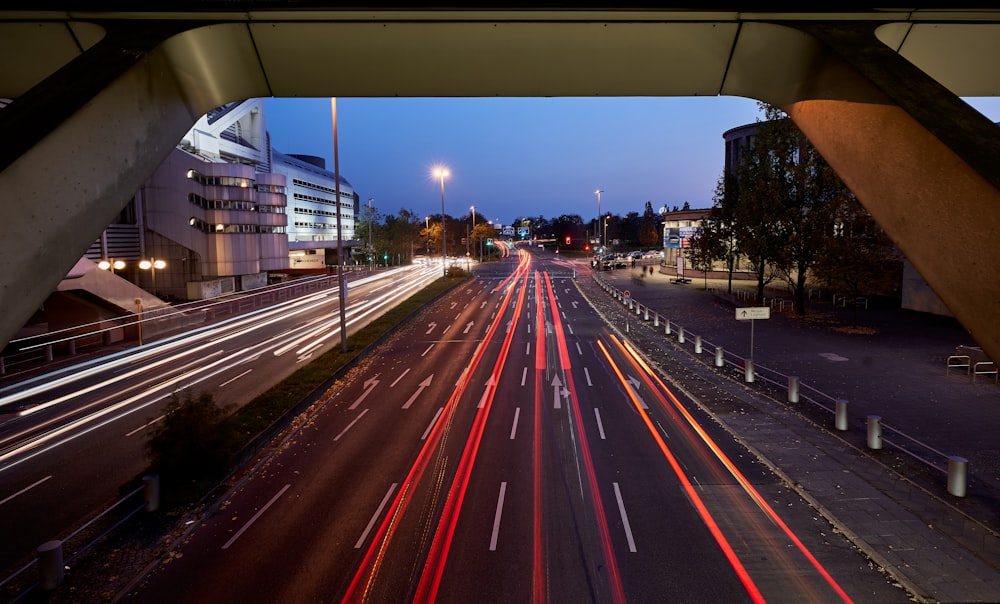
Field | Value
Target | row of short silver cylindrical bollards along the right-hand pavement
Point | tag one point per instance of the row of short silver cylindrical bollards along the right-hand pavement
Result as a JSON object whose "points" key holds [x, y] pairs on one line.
{"points": [[957, 466]]}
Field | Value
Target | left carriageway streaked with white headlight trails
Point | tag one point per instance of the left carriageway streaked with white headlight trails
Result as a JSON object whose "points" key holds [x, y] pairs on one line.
{"points": [[70, 438]]}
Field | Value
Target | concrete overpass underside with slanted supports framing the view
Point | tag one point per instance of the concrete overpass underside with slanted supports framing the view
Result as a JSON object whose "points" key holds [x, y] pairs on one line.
{"points": [[100, 99]]}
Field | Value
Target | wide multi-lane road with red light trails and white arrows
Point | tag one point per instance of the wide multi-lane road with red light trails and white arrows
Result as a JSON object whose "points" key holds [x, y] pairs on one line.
{"points": [[507, 446]]}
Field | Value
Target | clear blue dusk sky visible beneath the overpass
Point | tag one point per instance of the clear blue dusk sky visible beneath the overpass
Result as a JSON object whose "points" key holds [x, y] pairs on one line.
{"points": [[512, 157]]}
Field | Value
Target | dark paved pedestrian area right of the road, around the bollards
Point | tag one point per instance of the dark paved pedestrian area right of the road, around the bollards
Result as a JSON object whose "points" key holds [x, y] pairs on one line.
{"points": [[883, 362]]}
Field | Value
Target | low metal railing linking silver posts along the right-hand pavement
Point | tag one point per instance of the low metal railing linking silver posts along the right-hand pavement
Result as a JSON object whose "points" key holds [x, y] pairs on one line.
{"points": [[955, 468]]}
